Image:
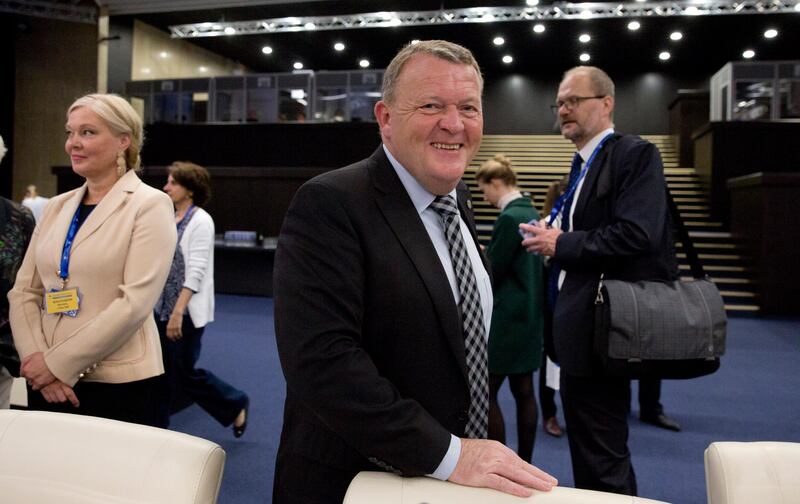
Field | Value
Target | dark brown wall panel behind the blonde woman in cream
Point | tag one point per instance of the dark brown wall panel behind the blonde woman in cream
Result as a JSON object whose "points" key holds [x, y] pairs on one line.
{"points": [[56, 62]]}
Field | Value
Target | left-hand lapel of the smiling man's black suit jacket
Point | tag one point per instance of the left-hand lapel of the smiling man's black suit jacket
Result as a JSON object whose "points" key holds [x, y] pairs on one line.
{"points": [[401, 216]]}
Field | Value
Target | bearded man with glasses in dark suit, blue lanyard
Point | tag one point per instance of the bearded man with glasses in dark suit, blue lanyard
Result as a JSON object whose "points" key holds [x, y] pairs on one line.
{"points": [[614, 221]]}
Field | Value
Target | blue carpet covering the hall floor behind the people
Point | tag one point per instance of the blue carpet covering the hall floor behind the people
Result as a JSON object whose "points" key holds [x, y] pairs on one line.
{"points": [[754, 396]]}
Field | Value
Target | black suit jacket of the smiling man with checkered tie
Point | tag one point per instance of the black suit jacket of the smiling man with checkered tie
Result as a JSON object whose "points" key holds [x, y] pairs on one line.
{"points": [[368, 333]]}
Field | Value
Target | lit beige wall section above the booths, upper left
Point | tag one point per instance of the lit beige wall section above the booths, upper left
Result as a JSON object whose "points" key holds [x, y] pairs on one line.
{"points": [[157, 56]]}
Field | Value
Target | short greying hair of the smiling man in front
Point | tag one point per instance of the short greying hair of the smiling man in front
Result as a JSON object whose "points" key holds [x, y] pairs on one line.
{"points": [[441, 49]]}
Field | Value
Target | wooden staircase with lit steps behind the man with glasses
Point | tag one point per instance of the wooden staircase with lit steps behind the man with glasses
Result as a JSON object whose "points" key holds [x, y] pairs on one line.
{"points": [[540, 159]]}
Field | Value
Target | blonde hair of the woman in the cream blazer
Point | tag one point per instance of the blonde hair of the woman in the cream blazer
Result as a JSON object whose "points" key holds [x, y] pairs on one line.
{"points": [[121, 119]]}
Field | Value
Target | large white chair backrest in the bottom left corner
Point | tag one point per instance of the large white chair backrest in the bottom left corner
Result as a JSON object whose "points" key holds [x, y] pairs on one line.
{"points": [[72, 459]]}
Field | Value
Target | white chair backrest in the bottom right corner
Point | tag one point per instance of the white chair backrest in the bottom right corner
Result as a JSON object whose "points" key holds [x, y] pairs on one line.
{"points": [[744, 473]]}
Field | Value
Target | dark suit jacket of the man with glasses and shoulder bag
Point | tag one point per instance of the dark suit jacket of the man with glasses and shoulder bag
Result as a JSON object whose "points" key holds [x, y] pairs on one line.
{"points": [[621, 228]]}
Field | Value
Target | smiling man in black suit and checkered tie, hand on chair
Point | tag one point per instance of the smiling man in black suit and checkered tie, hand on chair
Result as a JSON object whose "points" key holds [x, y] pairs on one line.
{"points": [[380, 330]]}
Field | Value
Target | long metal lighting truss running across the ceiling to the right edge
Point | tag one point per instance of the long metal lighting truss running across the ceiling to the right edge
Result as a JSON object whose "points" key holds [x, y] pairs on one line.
{"points": [[555, 11]]}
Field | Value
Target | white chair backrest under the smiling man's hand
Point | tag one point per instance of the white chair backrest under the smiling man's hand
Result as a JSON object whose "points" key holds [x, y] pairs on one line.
{"points": [[372, 487]]}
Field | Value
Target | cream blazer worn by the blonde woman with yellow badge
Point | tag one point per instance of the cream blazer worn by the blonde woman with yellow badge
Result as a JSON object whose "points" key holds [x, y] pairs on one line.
{"points": [[120, 259]]}
